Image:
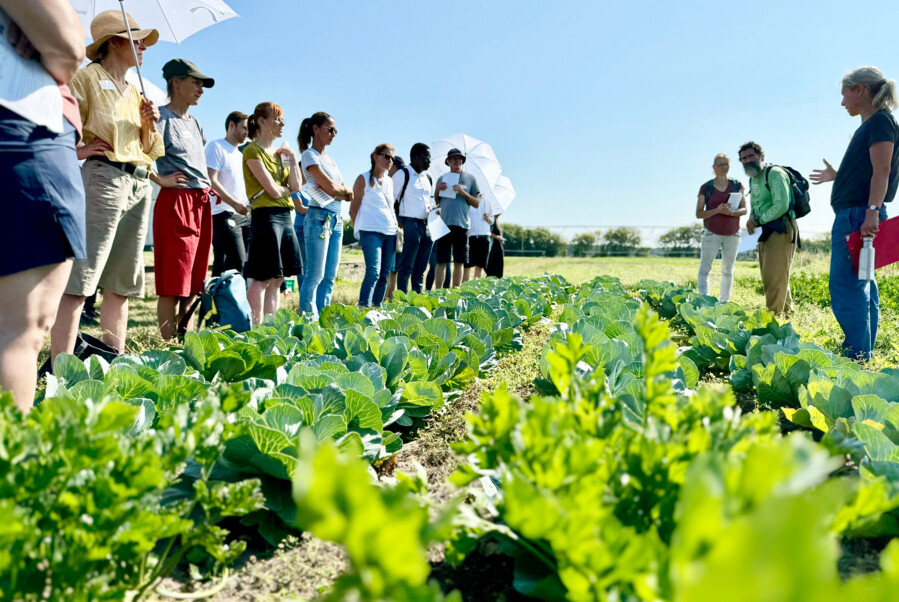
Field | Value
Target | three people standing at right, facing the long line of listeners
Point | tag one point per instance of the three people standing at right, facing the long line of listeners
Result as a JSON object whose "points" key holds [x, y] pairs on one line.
{"points": [[866, 180]]}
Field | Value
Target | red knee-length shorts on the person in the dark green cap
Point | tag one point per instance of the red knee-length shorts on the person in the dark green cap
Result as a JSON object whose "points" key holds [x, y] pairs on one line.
{"points": [[182, 239]]}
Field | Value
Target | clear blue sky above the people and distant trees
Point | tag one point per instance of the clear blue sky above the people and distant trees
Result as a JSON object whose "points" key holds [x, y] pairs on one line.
{"points": [[601, 113]]}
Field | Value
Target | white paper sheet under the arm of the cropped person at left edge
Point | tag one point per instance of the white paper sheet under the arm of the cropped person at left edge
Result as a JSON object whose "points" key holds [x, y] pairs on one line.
{"points": [[25, 86]]}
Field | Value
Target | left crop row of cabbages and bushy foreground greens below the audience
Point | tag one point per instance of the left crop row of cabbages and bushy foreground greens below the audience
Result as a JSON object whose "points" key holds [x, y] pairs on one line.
{"points": [[125, 468]]}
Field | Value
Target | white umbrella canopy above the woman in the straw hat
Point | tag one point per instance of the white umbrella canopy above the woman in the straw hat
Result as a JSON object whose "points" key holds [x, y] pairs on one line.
{"points": [[176, 20]]}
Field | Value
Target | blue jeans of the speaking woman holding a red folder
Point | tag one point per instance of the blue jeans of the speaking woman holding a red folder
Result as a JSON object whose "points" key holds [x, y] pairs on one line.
{"points": [[855, 303]]}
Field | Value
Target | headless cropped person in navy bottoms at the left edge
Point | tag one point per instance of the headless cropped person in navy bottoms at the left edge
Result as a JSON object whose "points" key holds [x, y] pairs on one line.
{"points": [[43, 201]]}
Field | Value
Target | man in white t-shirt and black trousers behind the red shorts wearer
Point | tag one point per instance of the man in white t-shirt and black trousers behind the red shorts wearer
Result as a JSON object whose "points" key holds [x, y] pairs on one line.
{"points": [[224, 162]]}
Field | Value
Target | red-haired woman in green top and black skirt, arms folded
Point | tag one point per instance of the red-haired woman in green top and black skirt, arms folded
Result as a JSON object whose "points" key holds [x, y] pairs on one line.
{"points": [[272, 178]]}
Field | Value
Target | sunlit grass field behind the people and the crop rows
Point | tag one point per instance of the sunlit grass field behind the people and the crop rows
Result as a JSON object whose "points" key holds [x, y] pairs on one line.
{"points": [[812, 321]]}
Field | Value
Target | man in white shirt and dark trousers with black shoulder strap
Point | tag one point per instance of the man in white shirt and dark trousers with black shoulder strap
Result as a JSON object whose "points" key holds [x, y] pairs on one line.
{"points": [[414, 193]]}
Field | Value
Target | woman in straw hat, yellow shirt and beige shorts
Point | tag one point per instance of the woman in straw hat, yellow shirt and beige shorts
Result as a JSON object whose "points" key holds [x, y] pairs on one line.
{"points": [[120, 145]]}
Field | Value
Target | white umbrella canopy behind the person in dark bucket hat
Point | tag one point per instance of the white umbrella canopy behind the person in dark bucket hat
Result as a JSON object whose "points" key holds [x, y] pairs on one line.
{"points": [[481, 162]]}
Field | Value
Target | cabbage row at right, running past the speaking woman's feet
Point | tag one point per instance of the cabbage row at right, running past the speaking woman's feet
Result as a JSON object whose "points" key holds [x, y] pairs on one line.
{"points": [[857, 410]]}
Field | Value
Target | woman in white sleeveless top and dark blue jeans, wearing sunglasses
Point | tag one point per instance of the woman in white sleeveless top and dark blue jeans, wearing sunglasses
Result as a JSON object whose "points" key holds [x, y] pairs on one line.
{"points": [[375, 225]]}
